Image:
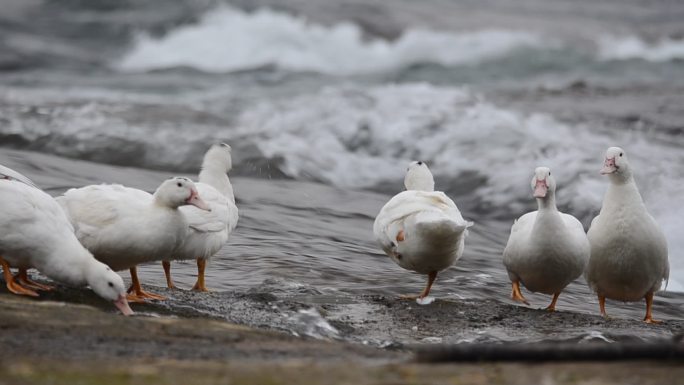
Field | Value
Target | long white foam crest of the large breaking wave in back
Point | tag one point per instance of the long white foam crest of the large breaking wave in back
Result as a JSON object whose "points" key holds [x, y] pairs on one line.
{"points": [[227, 40]]}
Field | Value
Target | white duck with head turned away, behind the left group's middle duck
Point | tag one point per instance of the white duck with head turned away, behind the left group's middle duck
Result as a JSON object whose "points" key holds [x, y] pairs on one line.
{"points": [[208, 231]]}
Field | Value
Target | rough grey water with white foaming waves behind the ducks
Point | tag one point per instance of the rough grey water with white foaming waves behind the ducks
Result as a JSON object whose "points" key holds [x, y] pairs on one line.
{"points": [[325, 102]]}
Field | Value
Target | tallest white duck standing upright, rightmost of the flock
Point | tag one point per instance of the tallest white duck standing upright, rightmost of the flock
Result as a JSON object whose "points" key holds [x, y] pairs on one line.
{"points": [[628, 249]]}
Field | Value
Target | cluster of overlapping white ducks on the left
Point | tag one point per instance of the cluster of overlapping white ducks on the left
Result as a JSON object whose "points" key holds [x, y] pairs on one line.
{"points": [[80, 237]]}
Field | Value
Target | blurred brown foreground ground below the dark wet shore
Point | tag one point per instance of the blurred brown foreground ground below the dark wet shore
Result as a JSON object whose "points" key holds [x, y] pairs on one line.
{"points": [[63, 343]]}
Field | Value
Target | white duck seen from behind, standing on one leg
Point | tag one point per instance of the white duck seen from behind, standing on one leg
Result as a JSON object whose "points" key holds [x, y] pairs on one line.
{"points": [[421, 229]]}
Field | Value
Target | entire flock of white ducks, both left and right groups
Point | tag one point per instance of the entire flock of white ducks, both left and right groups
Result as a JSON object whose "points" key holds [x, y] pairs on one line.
{"points": [[81, 237]]}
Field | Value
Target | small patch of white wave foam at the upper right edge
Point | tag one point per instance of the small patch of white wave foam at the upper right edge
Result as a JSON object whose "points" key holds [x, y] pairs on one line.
{"points": [[632, 47]]}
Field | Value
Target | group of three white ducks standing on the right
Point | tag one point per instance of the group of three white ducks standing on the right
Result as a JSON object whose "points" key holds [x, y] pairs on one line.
{"points": [[623, 256]]}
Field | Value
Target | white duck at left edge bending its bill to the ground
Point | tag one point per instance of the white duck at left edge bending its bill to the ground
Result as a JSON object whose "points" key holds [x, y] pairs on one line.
{"points": [[35, 233]]}
